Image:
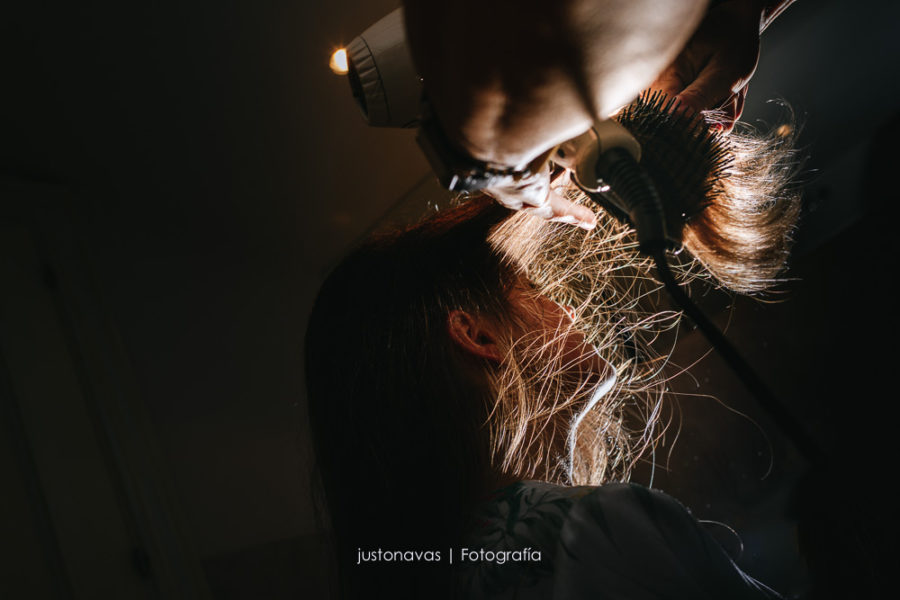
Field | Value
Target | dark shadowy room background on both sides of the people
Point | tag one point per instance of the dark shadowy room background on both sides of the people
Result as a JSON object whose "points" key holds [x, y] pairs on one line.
{"points": [[177, 178]]}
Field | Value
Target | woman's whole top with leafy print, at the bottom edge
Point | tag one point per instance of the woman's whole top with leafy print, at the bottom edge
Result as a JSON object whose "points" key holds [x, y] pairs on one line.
{"points": [[618, 541]]}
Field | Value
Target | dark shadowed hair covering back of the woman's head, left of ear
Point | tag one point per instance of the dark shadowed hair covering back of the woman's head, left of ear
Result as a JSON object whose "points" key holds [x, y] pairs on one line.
{"points": [[396, 408]]}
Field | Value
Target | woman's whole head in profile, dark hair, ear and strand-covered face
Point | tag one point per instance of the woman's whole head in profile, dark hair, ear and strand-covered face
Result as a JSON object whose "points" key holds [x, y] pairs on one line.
{"points": [[436, 369]]}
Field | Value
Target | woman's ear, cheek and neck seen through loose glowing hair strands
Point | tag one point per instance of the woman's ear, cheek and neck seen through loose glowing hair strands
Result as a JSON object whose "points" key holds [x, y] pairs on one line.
{"points": [[544, 375]]}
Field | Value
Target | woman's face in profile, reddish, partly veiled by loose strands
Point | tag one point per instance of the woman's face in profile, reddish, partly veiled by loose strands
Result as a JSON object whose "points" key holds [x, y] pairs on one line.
{"points": [[558, 335]]}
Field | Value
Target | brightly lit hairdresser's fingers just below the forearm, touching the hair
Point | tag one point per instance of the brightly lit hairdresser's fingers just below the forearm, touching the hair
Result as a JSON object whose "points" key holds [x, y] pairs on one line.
{"points": [[536, 194]]}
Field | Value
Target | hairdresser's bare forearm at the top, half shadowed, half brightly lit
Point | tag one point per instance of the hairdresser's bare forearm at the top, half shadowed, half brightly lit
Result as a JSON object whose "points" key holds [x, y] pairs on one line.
{"points": [[511, 80]]}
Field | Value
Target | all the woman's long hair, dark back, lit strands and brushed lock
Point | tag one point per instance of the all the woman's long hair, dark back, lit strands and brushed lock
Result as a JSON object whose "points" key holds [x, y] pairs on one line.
{"points": [[409, 430]]}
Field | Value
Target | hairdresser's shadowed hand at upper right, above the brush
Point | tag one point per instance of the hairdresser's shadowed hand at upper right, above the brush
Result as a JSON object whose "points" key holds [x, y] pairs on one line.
{"points": [[713, 70]]}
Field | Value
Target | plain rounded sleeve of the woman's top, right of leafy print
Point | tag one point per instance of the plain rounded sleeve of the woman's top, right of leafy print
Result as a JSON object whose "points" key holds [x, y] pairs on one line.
{"points": [[626, 541]]}
